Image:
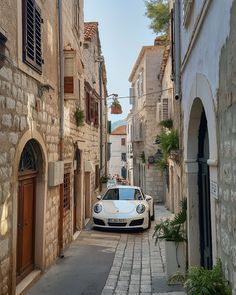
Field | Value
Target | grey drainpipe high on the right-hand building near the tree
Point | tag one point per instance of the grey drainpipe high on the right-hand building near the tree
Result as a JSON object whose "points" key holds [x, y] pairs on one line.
{"points": [[177, 49]]}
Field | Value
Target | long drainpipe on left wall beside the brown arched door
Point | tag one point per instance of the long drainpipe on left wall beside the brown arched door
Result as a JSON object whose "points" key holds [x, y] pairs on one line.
{"points": [[61, 131]]}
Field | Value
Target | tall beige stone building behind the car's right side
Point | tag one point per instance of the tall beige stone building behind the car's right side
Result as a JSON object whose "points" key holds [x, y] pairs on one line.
{"points": [[145, 92]]}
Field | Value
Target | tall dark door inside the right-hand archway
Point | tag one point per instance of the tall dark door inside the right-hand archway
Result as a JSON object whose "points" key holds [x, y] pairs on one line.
{"points": [[204, 194]]}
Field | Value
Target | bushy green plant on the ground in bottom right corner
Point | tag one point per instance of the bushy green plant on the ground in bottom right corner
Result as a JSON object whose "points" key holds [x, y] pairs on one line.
{"points": [[200, 281]]}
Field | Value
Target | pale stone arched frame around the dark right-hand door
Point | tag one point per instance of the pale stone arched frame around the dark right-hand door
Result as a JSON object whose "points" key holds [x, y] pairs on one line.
{"points": [[199, 97]]}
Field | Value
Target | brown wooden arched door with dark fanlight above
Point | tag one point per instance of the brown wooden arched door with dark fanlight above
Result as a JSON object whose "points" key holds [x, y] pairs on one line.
{"points": [[26, 205]]}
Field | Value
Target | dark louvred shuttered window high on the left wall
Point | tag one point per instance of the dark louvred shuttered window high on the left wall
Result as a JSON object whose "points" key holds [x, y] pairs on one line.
{"points": [[32, 39]]}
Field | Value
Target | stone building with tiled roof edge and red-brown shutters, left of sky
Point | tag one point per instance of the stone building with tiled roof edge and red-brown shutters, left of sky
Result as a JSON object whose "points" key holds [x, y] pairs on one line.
{"points": [[95, 134]]}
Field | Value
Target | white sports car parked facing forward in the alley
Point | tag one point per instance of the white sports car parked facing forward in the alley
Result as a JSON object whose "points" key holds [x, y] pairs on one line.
{"points": [[123, 207]]}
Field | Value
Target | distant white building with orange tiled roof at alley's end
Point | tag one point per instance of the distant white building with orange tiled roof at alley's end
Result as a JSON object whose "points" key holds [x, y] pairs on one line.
{"points": [[118, 159]]}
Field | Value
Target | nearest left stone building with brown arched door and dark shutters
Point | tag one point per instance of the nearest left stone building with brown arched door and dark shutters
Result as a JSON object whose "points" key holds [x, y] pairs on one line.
{"points": [[48, 164]]}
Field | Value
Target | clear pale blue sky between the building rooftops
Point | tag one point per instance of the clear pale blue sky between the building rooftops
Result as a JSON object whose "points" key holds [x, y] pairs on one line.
{"points": [[123, 30]]}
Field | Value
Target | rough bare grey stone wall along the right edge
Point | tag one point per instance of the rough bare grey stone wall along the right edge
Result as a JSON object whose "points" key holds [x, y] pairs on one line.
{"points": [[226, 213]]}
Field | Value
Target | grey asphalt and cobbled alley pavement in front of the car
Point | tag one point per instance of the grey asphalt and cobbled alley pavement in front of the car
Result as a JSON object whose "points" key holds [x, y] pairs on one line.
{"points": [[110, 262]]}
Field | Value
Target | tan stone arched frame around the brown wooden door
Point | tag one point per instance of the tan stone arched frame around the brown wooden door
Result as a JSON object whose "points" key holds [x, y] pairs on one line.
{"points": [[41, 193]]}
